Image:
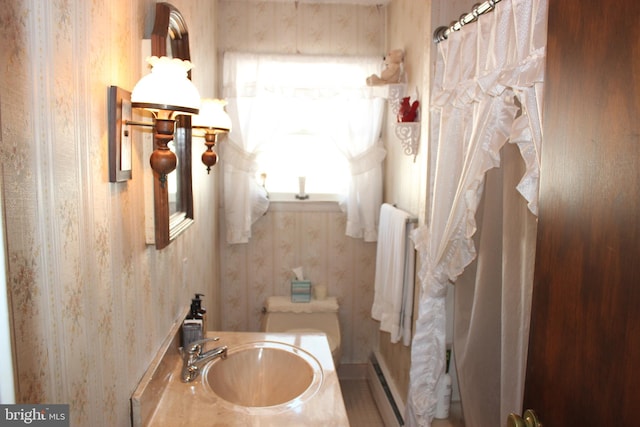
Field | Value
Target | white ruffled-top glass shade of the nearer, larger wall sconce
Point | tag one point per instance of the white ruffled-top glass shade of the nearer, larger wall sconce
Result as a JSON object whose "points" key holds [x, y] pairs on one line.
{"points": [[167, 87]]}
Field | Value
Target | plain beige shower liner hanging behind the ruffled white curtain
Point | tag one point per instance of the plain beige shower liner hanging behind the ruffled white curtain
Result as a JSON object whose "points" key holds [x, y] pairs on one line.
{"points": [[493, 299]]}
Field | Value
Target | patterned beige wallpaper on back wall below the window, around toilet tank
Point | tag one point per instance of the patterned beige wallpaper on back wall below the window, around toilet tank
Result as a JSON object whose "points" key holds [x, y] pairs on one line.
{"points": [[315, 240]]}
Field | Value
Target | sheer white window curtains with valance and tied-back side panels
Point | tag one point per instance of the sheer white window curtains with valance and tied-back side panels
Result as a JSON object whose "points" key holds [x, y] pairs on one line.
{"points": [[268, 96]]}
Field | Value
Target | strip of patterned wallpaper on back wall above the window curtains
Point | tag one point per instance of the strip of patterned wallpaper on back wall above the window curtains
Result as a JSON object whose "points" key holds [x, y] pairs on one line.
{"points": [[293, 27]]}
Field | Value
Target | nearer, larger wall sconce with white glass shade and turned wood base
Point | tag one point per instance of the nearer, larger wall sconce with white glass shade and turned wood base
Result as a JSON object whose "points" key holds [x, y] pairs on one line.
{"points": [[165, 92]]}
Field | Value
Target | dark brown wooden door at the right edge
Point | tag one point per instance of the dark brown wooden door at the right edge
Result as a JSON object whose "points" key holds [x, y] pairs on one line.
{"points": [[584, 351]]}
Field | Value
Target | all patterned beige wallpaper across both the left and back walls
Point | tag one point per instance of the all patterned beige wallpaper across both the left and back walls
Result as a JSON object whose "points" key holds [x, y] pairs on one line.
{"points": [[90, 301]]}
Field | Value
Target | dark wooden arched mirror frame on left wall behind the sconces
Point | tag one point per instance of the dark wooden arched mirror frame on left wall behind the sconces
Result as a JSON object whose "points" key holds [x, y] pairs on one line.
{"points": [[169, 25]]}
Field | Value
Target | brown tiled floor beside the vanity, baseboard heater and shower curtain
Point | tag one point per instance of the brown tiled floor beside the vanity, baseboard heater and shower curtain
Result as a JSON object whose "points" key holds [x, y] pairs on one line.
{"points": [[362, 411]]}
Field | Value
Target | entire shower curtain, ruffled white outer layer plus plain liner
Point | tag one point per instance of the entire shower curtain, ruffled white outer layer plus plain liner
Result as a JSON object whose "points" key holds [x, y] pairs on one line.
{"points": [[487, 91]]}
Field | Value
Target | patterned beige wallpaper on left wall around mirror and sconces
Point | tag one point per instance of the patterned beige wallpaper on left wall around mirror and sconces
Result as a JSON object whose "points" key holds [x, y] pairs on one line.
{"points": [[91, 303]]}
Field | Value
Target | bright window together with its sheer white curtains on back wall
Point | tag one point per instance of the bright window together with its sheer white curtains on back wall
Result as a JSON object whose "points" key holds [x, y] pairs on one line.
{"points": [[299, 115]]}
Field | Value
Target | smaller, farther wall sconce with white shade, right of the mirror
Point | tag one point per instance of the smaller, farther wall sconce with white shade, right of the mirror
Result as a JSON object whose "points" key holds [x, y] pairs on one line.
{"points": [[212, 121]]}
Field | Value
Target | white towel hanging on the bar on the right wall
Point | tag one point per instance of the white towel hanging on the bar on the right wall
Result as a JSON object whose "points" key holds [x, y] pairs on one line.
{"points": [[393, 298]]}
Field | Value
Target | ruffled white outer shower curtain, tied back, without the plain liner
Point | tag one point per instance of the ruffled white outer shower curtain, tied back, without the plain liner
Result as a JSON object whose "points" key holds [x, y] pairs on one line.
{"points": [[487, 91]]}
